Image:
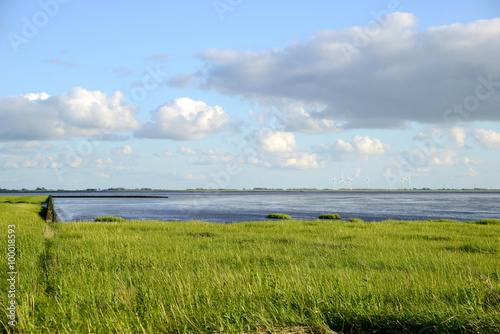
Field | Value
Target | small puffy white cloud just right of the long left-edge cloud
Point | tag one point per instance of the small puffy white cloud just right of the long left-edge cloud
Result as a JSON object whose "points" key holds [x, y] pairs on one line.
{"points": [[185, 119]]}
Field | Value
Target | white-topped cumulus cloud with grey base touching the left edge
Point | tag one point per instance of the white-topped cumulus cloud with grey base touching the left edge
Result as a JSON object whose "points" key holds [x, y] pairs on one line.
{"points": [[38, 116]]}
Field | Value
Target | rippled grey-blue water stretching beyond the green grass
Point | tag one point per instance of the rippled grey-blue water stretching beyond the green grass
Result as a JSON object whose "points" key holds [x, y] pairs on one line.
{"points": [[228, 207]]}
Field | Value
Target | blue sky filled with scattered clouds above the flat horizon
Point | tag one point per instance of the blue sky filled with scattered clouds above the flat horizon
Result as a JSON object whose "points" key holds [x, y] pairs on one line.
{"points": [[241, 94]]}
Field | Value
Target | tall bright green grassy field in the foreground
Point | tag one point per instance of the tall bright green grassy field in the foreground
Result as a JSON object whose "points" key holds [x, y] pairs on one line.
{"points": [[255, 277]]}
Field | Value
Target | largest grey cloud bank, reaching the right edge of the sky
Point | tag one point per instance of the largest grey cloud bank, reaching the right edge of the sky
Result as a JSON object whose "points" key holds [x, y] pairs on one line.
{"points": [[402, 75]]}
